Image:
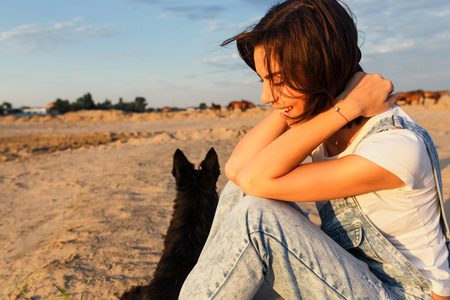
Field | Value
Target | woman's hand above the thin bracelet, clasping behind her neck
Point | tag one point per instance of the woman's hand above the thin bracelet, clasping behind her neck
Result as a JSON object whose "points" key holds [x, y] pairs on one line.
{"points": [[368, 94]]}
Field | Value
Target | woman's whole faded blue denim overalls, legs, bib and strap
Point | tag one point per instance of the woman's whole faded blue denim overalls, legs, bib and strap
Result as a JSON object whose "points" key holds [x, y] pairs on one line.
{"points": [[253, 239]]}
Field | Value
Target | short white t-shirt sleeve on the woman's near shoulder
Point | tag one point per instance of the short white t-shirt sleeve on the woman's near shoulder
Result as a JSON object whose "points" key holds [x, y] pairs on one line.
{"points": [[401, 152]]}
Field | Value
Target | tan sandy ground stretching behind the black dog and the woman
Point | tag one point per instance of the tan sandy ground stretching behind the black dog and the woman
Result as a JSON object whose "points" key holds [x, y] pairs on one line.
{"points": [[86, 196]]}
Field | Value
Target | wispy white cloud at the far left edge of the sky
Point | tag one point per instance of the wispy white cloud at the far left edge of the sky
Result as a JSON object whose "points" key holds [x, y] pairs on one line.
{"points": [[38, 37]]}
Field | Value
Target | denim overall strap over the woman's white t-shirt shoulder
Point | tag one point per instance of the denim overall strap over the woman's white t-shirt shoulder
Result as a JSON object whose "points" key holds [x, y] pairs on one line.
{"points": [[396, 122]]}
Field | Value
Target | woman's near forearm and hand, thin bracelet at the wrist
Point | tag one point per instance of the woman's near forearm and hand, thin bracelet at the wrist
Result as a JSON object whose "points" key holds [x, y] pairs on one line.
{"points": [[366, 95]]}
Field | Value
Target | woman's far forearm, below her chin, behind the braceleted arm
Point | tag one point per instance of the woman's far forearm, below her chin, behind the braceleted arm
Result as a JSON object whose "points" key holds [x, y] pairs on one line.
{"points": [[254, 142]]}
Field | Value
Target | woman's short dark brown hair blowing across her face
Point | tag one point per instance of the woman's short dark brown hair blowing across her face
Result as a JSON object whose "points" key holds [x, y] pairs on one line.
{"points": [[315, 44]]}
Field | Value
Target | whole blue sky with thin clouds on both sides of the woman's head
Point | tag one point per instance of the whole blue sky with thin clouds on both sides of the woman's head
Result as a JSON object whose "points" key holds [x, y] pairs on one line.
{"points": [[168, 50]]}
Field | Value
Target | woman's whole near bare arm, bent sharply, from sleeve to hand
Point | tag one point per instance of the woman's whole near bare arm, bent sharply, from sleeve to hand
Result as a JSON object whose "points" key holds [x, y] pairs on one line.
{"points": [[275, 172]]}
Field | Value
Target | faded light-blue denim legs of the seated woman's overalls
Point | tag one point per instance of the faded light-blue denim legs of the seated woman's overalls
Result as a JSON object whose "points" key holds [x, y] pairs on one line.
{"points": [[255, 239]]}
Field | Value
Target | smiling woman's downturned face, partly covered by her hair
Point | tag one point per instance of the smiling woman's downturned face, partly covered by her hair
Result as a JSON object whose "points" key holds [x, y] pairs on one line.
{"points": [[288, 102]]}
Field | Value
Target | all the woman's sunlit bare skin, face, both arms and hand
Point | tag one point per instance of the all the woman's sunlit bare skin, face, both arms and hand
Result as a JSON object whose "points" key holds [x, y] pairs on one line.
{"points": [[266, 161]]}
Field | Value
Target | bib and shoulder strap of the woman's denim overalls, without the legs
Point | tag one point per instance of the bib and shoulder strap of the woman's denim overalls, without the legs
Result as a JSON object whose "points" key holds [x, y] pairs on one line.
{"points": [[344, 221]]}
